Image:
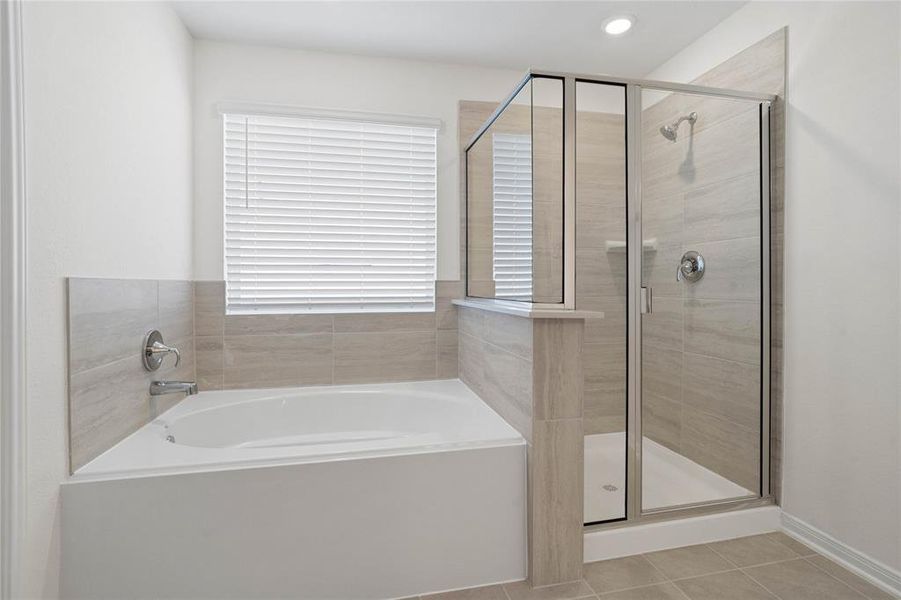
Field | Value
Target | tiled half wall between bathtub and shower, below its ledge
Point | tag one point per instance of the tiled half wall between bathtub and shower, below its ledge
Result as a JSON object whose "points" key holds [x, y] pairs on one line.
{"points": [[529, 372]]}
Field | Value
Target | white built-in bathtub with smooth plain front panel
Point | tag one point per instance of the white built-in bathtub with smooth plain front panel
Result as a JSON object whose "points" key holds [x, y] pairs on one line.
{"points": [[361, 491]]}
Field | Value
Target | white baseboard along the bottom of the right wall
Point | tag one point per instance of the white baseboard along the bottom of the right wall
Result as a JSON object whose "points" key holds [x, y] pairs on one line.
{"points": [[870, 569]]}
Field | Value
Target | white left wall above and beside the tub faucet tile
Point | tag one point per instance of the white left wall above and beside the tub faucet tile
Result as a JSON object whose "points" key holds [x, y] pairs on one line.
{"points": [[108, 142]]}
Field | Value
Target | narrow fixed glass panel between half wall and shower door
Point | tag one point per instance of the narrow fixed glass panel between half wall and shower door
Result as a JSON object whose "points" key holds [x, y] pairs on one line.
{"points": [[601, 286]]}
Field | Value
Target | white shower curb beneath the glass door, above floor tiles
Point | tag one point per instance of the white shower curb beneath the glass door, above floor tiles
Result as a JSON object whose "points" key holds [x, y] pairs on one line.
{"points": [[663, 535]]}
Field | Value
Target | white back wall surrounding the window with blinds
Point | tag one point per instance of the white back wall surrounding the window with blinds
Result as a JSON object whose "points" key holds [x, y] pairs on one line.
{"points": [[228, 72]]}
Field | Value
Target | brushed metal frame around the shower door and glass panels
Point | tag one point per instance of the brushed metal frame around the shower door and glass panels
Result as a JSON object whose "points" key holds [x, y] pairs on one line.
{"points": [[634, 514]]}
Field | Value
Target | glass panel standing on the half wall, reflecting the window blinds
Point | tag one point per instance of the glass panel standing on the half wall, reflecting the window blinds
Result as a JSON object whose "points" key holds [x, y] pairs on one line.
{"points": [[515, 200]]}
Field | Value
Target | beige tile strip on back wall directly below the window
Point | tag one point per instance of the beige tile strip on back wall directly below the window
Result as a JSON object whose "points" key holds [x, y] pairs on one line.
{"points": [[249, 351]]}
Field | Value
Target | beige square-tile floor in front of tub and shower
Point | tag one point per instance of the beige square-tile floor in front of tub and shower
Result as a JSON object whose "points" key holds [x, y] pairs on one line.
{"points": [[771, 566]]}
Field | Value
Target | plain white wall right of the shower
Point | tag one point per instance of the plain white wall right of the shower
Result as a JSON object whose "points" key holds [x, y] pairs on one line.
{"points": [[841, 469]]}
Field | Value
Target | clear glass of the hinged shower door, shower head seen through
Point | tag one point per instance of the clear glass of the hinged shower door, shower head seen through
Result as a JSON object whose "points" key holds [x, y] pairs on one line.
{"points": [[701, 342]]}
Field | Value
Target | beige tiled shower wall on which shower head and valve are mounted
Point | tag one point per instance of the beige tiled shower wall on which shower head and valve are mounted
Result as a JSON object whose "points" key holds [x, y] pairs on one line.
{"points": [[701, 344]]}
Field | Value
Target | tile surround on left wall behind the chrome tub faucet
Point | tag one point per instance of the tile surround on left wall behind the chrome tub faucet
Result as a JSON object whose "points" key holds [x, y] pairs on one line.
{"points": [[109, 394]]}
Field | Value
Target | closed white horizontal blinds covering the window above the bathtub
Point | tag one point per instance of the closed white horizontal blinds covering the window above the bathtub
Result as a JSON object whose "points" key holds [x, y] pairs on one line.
{"points": [[328, 215]]}
